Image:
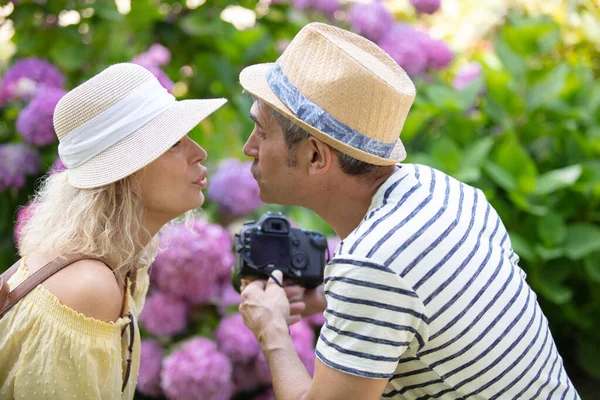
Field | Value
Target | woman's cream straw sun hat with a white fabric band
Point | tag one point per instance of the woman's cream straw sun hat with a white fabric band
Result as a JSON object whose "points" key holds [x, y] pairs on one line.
{"points": [[118, 122]]}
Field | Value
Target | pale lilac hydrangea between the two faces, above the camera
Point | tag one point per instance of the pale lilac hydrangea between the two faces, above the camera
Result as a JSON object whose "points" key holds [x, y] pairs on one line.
{"points": [[233, 187]]}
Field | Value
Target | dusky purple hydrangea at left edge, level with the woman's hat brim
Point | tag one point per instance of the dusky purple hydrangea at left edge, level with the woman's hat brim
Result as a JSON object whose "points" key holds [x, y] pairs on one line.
{"points": [[17, 161]]}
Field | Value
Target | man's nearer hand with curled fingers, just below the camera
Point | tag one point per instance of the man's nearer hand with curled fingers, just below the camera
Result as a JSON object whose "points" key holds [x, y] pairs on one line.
{"points": [[265, 304]]}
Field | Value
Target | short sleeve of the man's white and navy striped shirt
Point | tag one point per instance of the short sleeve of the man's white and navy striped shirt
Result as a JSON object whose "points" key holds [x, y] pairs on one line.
{"points": [[373, 316]]}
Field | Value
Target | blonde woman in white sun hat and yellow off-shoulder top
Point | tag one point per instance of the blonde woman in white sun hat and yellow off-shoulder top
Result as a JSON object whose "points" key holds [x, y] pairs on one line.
{"points": [[130, 170]]}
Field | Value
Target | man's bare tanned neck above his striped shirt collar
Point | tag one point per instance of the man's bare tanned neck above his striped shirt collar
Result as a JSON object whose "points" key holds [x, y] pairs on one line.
{"points": [[344, 203]]}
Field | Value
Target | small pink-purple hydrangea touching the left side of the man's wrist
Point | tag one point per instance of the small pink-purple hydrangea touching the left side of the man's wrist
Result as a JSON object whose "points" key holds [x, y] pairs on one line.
{"points": [[236, 340]]}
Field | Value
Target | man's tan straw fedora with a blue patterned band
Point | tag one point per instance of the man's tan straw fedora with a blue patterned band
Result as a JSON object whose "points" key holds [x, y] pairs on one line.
{"points": [[341, 88]]}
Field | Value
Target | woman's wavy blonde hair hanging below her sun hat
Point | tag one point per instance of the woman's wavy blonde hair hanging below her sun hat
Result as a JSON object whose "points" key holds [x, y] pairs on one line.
{"points": [[104, 222]]}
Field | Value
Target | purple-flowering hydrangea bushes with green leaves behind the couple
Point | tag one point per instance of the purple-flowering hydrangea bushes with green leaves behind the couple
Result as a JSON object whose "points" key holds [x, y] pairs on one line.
{"points": [[516, 115]]}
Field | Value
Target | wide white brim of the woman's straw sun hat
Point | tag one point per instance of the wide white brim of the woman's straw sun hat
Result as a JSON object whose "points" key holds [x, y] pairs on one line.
{"points": [[143, 146]]}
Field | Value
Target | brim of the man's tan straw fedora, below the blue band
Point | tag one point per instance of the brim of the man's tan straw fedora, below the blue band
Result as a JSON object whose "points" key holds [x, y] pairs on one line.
{"points": [[254, 80]]}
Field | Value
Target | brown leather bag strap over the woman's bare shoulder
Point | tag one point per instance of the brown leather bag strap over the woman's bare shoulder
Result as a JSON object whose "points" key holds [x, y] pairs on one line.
{"points": [[35, 279]]}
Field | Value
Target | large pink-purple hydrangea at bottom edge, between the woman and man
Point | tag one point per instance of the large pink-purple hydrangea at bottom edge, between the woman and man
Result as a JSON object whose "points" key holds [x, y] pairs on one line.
{"points": [[197, 371]]}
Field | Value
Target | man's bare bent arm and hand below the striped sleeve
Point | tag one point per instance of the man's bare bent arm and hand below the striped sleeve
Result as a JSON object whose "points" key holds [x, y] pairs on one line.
{"points": [[265, 309]]}
